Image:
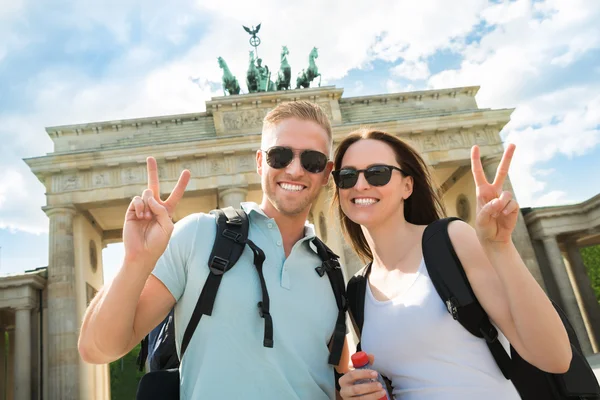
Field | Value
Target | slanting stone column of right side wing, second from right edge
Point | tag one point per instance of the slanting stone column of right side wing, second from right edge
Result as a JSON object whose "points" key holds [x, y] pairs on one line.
{"points": [[567, 294]]}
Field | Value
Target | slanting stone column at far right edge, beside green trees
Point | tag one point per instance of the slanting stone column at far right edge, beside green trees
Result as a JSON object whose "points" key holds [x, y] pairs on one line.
{"points": [[586, 293]]}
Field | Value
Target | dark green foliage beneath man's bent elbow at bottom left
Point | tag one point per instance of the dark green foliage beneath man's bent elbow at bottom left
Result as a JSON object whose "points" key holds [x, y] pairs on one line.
{"points": [[125, 376]]}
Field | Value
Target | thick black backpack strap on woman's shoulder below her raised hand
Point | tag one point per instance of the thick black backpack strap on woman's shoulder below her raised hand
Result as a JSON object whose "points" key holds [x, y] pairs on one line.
{"points": [[451, 283]]}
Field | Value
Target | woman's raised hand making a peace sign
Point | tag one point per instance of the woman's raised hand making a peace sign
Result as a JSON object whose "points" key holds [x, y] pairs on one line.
{"points": [[497, 211]]}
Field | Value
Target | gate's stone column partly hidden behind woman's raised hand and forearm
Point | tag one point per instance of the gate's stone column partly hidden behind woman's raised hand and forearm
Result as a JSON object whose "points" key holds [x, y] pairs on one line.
{"points": [[520, 235]]}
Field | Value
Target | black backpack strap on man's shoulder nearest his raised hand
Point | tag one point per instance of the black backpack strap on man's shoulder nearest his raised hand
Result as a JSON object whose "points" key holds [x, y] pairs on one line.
{"points": [[231, 237]]}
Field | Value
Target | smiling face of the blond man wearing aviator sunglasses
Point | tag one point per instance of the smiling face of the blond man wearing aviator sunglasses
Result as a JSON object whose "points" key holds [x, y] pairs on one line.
{"points": [[291, 190]]}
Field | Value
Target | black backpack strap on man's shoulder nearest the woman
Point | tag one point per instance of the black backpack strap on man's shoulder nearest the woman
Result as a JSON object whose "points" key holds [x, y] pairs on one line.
{"points": [[332, 268]]}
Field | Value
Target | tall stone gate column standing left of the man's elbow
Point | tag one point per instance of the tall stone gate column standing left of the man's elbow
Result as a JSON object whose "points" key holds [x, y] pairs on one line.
{"points": [[63, 324]]}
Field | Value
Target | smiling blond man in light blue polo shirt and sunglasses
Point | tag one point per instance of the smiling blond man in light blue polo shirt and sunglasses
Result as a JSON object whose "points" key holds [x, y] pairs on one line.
{"points": [[166, 265]]}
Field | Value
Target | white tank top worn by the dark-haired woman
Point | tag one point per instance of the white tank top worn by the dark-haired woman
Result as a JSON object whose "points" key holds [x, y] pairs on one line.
{"points": [[425, 352]]}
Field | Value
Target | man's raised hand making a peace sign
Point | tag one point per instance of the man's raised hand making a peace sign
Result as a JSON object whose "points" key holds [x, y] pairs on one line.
{"points": [[148, 225]]}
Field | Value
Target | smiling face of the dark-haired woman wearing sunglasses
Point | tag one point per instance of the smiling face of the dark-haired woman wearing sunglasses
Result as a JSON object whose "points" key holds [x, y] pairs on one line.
{"points": [[367, 204]]}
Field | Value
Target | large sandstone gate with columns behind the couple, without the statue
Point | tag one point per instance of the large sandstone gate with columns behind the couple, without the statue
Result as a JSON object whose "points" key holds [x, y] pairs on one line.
{"points": [[96, 168]]}
